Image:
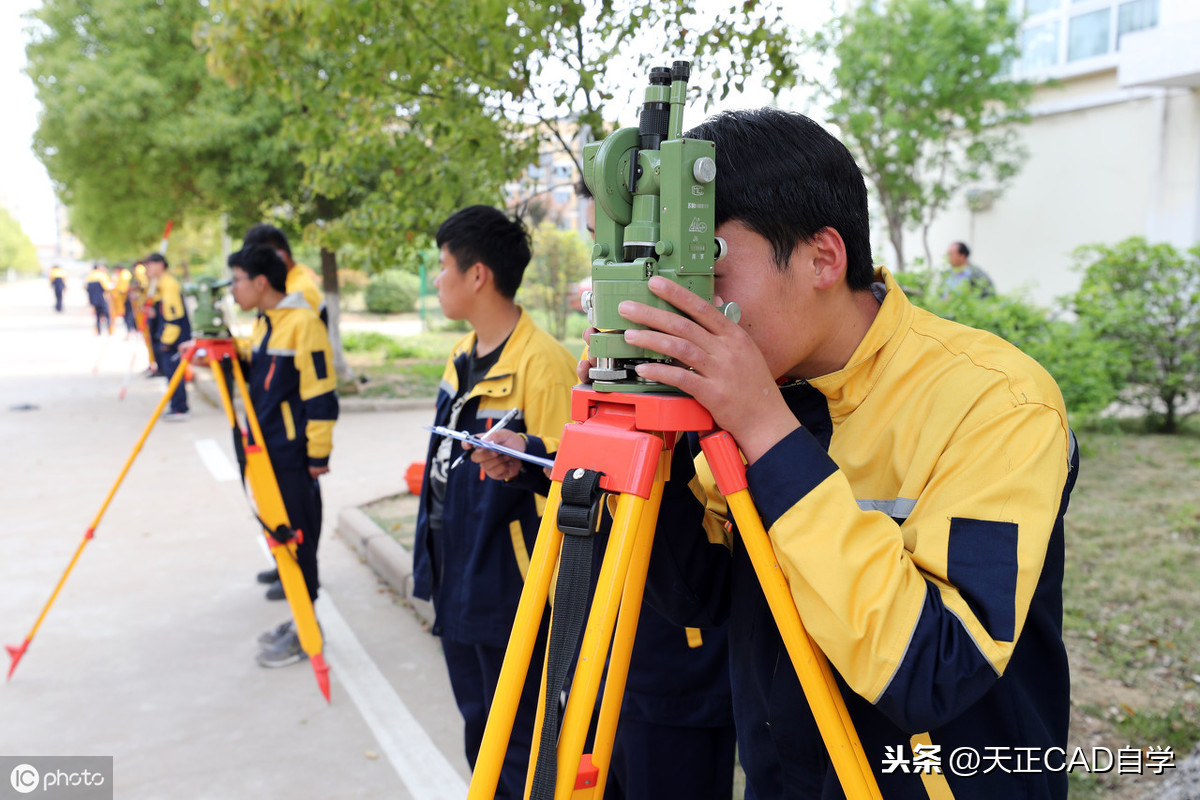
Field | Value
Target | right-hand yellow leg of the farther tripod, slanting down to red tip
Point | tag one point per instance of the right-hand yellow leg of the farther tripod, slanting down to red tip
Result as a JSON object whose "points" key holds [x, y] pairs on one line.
{"points": [[269, 502]]}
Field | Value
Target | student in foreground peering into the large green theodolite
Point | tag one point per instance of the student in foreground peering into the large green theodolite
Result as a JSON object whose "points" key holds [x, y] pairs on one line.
{"points": [[913, 474]]}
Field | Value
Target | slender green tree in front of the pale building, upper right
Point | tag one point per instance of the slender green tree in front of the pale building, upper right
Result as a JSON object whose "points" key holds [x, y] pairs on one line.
{"points": [[921, 94]]}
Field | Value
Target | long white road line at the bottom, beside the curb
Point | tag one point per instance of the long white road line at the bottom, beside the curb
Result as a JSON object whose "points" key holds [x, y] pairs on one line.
{"points": [[421, 766]]}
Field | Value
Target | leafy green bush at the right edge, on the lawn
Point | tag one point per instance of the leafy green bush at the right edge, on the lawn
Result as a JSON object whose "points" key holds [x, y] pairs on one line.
{"points": [[1147, 299]]}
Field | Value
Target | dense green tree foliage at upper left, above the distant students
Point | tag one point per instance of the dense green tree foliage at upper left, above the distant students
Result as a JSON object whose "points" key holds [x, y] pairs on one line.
{"points": [[136, 133]]}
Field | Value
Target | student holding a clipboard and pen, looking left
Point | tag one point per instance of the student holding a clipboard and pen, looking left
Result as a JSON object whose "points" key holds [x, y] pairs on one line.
{"points": [[475, 537]]}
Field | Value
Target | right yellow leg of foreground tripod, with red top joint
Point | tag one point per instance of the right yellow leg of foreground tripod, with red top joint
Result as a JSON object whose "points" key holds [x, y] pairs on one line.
{"points": [[817, 678]]}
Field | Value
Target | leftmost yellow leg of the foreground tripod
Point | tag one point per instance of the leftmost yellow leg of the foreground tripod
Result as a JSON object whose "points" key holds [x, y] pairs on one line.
{"points": [[520, 651]]}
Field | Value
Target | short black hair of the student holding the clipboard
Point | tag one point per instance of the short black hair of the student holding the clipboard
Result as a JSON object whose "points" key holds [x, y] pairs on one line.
{"points": [[488, 236]]}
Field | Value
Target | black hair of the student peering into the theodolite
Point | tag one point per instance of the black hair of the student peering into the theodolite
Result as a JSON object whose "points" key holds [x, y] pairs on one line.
{"points": [[785, 178]]}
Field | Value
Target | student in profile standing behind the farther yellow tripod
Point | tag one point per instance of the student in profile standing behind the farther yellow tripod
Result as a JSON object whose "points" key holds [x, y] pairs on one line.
{"points": [[293, 388]]}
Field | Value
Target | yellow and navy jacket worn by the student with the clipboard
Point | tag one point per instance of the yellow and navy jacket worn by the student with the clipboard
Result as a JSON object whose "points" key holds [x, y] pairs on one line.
{"points": [[476, 572]]}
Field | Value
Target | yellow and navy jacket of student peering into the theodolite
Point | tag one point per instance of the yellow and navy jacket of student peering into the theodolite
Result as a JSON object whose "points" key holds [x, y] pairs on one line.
{"points": [[919, 518]]}
